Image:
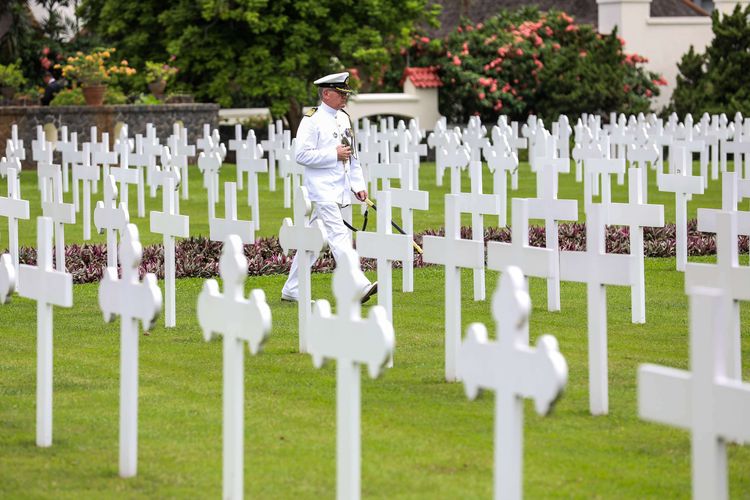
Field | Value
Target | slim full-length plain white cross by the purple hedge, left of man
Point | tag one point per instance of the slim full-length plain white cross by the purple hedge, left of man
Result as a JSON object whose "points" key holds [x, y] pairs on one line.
{"points": [[170, 224]]}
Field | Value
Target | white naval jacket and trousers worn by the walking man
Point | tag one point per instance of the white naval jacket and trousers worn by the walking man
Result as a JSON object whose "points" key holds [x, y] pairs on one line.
{"points": [[329, 181]]}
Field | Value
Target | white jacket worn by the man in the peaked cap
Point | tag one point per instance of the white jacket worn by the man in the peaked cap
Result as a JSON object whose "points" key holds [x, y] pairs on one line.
{"points": [[326, 178]]}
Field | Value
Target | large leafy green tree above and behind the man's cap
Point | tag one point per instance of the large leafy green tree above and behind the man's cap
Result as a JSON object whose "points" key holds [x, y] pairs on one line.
{"points": [[258, 52]]}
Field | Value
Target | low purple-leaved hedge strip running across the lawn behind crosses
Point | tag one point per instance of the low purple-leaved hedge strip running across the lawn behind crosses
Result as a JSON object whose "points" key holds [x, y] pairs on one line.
{"points": [[198, 257]]}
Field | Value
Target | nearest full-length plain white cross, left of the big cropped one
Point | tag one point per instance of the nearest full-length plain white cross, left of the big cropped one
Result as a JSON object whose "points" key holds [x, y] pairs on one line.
{"points": [[596, 268]]}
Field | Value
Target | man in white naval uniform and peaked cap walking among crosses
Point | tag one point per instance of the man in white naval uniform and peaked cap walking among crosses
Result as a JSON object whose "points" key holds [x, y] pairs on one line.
{"points": [[332, 171]]}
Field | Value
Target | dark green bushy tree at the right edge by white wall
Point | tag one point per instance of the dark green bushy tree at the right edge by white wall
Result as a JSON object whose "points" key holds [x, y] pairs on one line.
{"points": [[716, 81]]}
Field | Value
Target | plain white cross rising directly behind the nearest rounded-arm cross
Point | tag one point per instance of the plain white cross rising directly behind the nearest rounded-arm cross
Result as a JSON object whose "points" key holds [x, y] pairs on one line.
{"points": [[531, 261]]}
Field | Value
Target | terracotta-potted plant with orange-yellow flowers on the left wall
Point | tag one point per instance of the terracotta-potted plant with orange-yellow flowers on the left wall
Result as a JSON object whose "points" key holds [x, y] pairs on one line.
{"points": [[93, 74]]}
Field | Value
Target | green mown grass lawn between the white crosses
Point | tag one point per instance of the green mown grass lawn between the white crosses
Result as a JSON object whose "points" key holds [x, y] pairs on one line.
{"points": [[421, 437]]}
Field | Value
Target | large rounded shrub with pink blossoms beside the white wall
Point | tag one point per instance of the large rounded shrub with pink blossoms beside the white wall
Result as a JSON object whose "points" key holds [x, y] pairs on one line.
{"points": [[525, 61]]}
